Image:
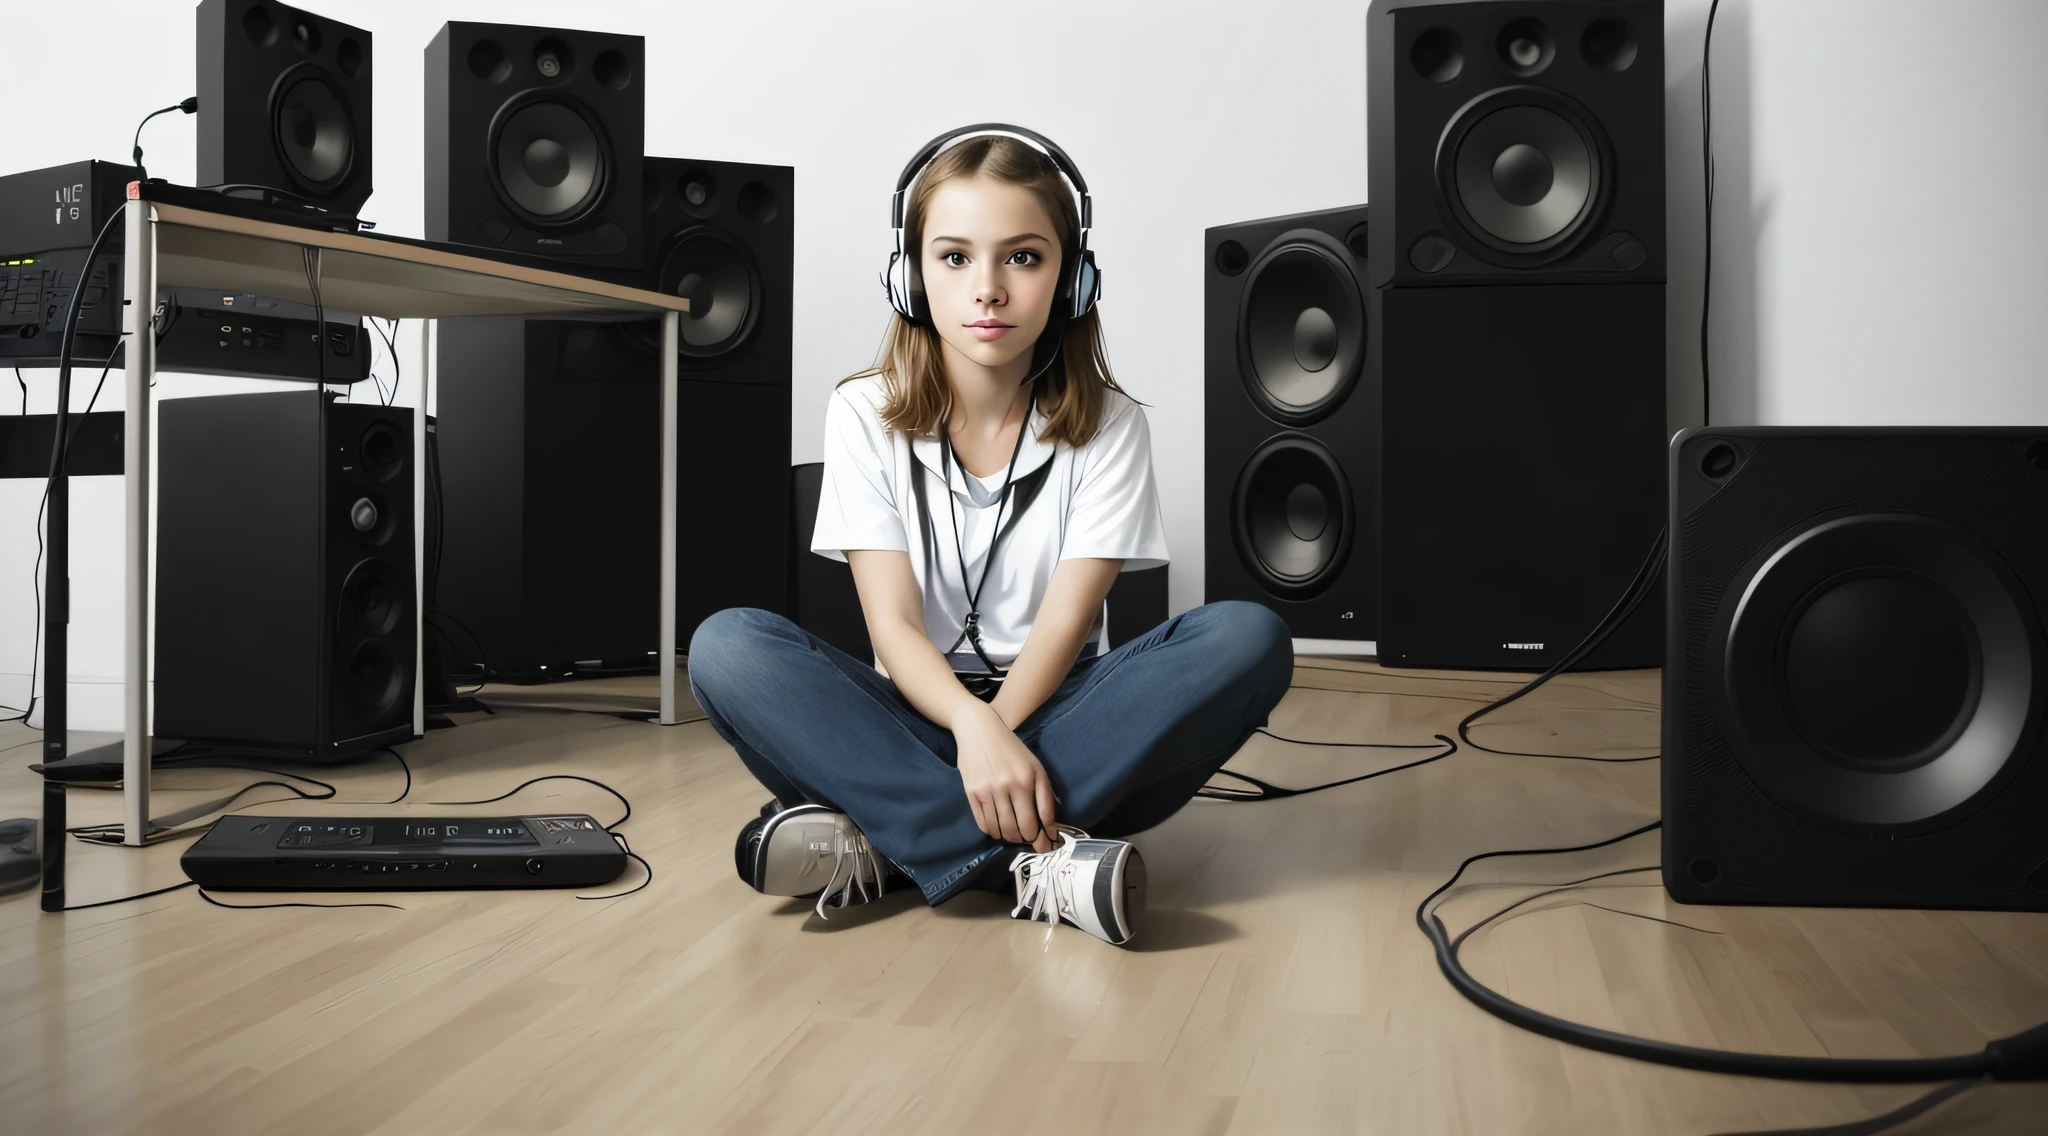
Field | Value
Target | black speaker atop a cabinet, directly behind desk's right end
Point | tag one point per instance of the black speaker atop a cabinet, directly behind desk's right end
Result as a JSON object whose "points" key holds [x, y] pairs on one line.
{"points": [[724, 236]]}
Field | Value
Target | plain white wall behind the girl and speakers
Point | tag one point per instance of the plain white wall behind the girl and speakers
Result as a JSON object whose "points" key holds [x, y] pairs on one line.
{"points": [[1877, 226]]}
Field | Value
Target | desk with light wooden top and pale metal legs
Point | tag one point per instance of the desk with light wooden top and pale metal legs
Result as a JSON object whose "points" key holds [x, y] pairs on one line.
{"points": [[366, 275]]}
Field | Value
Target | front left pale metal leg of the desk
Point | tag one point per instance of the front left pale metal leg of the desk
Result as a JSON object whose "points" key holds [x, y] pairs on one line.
{"points": [[140, 292]]}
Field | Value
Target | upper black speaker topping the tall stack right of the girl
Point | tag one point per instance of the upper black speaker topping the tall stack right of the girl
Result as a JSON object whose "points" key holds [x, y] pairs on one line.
{"points": [[1514, 138]]}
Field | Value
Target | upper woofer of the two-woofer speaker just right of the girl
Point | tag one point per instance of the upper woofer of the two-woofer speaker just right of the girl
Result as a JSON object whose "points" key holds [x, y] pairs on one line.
{"points": [[1302, 329]]}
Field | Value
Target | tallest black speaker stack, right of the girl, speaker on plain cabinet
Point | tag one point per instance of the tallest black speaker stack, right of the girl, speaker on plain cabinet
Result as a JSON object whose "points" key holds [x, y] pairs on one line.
{"points": [[1517, 152]]}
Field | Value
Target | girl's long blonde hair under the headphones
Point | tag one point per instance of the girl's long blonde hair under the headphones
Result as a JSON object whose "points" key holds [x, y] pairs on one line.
{"points": [[1072, 388]]}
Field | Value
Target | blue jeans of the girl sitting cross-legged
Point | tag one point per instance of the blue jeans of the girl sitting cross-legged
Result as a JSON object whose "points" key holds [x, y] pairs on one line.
{"points": [[1127, 738]]}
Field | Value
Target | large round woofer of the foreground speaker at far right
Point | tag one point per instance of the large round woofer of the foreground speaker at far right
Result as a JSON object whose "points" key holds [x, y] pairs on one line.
{"points": [[1877, 672]]}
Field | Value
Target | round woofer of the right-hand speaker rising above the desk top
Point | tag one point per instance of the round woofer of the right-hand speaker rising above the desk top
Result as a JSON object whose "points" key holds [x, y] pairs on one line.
{"points": [[550, 159]]}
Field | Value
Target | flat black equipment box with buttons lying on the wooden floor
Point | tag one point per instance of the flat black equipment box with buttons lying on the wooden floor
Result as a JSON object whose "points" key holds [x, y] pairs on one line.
{"points": [[404, 855]]}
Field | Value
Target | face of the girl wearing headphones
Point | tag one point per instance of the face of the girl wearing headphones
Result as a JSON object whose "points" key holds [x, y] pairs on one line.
{"points": [[990, 269]]}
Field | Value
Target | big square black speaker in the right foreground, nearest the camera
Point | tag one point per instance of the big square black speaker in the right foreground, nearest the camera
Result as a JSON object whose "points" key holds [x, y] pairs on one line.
{"points": [[1852, 709]]}
